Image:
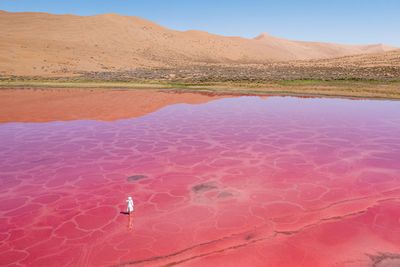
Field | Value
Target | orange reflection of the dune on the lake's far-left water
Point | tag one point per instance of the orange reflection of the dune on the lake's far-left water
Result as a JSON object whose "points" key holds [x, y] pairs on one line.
{"points": [[64, 104]]}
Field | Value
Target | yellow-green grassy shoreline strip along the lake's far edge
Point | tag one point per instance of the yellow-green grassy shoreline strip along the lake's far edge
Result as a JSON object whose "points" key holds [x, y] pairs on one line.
{"points": [[348, 89]]}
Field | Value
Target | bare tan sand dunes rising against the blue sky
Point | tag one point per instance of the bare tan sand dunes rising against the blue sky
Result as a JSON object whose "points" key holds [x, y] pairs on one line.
{"points": [[45, 44]]}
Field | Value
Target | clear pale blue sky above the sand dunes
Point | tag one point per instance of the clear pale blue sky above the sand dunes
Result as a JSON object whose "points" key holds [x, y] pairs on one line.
{"points": [[342, 21]]}
